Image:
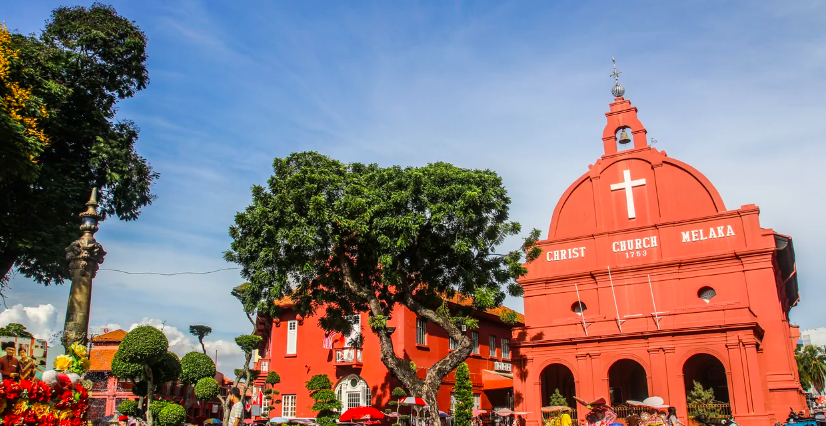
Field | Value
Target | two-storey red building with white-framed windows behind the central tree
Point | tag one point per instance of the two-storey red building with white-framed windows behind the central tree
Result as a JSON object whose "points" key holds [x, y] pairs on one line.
{"points": [[292, 346]]}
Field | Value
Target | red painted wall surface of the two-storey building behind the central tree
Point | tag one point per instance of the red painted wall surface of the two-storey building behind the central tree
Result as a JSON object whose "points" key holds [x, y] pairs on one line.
{"points": [[311, 358]]}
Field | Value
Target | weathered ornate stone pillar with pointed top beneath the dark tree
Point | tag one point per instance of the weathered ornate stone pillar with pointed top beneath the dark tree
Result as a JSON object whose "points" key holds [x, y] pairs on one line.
{"points": [[84, 256]]}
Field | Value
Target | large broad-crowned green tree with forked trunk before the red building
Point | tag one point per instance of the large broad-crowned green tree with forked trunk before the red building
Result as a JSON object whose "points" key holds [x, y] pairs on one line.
{"points": [[347, 238]]}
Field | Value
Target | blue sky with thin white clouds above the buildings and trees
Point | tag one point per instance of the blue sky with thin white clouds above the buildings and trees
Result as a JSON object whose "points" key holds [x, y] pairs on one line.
{"points": [[733, 88]]}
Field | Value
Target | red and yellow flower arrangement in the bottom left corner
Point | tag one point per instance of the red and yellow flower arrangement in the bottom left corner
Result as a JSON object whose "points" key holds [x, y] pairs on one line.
{"points": [[60, 399]]}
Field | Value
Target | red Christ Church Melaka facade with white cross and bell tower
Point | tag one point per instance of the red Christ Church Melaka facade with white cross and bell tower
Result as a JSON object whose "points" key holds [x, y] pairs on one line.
{"points": [[647, 283]]}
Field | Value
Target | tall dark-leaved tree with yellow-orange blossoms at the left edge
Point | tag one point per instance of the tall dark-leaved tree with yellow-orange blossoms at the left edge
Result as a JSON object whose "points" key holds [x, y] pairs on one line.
{"points": [[73, 74]]}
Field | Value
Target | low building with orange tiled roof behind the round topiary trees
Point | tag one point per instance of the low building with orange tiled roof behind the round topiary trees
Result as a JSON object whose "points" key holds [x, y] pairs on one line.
{"points": [[108, 392]]}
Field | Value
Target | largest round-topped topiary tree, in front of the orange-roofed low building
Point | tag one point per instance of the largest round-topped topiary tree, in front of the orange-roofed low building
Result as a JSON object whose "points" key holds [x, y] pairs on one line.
{"points": [[143, 358]]}
